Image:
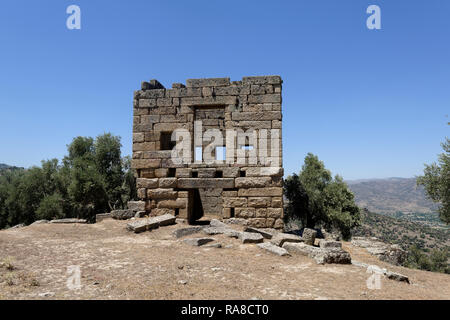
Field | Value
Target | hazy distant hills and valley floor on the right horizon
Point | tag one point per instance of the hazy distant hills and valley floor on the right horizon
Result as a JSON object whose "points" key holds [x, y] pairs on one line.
{"points": [[391, 196]]}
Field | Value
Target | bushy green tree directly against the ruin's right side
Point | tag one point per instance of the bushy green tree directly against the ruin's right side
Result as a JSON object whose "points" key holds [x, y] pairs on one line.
{"points": [[318, 199]]}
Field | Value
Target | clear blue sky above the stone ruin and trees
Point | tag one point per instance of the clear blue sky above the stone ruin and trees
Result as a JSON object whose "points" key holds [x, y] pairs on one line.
{"points": [[369, 103]]}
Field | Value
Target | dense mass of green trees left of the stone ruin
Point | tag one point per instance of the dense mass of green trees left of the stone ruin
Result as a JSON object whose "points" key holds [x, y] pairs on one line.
{"points": [[92, 178]]}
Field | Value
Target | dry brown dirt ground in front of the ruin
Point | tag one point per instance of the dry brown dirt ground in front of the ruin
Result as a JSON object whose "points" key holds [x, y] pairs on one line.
{"points": [[118, 264]]}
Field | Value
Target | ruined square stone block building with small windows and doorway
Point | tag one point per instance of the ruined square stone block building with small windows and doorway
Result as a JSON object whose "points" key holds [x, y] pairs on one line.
{"points": [[245, 183]]}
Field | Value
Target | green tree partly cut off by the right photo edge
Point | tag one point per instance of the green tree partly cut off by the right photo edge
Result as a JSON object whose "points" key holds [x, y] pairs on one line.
{"points": [[436, 180]]}
